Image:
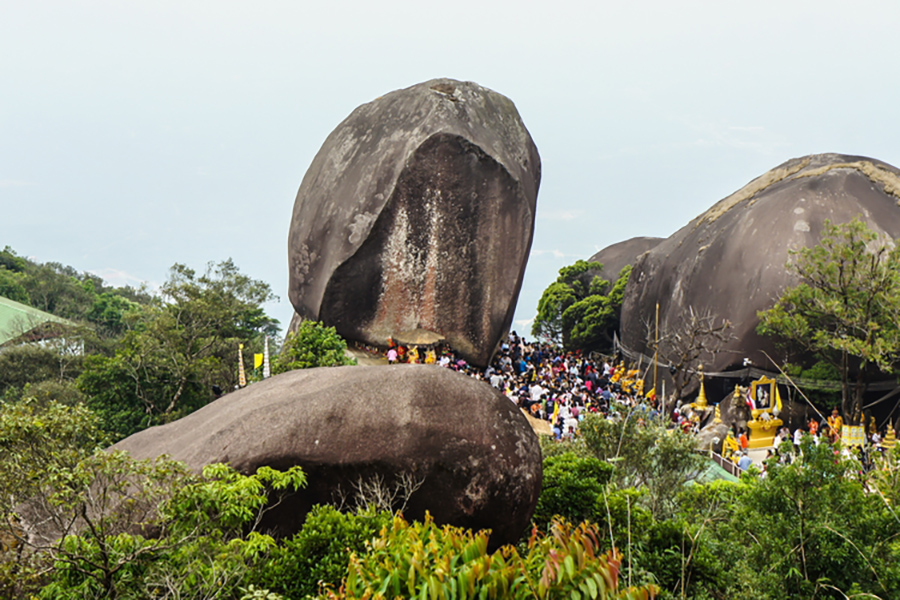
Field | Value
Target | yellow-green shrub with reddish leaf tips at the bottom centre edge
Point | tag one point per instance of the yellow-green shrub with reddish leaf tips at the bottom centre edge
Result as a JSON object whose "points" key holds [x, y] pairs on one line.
{"points": [[422, 560]]}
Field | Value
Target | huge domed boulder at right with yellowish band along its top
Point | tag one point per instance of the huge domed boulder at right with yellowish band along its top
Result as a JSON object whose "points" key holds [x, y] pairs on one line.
{"points": [[731, 259]]}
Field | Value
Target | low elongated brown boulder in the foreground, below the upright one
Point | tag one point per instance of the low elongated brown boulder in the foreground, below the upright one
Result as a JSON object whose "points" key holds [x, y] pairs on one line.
{"points": [[477, 457]]}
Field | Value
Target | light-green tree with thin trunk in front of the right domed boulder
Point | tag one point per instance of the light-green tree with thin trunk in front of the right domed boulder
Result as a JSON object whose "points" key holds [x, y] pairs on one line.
{"points": [[846, 308]]}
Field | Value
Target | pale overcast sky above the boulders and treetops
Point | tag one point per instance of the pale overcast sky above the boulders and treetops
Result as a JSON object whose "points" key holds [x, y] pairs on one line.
{"points": [[134, 135]]}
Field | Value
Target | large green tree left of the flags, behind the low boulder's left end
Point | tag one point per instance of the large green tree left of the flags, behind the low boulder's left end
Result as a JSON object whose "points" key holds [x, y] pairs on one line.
{"points": [[182, 346]]}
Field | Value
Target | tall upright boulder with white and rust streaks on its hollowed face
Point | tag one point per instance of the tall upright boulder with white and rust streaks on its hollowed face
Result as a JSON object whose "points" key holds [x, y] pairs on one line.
{"points": [[418, 212]]}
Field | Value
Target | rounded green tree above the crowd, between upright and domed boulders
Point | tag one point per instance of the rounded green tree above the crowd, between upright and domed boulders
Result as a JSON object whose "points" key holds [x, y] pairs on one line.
{"points": [[580, 310]]}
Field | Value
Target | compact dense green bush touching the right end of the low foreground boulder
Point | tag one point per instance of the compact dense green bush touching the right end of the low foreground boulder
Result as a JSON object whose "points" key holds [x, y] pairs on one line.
{"points": [[571, 488]]}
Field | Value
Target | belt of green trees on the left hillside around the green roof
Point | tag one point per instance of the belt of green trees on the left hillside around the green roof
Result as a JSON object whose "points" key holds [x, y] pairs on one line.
{"points": [[137, 359]]}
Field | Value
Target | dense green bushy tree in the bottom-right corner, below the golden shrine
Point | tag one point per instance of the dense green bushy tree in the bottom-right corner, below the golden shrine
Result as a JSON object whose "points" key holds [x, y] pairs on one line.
{"points": [[817, 532]]}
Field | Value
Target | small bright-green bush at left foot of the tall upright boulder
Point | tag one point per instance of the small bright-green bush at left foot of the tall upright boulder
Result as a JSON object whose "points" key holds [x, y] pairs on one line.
{"points": [[312, 345]]}
